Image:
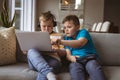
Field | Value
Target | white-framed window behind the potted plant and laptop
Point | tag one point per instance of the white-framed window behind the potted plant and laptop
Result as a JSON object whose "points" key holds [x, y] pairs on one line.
{"points": [[25, 14]]}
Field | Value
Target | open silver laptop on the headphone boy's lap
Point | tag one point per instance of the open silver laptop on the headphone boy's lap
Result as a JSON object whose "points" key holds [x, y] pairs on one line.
{"points": [[38, 40]]}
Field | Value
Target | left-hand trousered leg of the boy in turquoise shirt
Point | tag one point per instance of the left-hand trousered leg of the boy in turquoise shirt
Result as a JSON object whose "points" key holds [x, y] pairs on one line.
{"points": [[77, 71]]}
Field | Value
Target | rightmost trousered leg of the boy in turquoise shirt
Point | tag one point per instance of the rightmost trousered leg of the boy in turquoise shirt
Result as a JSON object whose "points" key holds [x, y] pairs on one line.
{"points": [[94, 70]]}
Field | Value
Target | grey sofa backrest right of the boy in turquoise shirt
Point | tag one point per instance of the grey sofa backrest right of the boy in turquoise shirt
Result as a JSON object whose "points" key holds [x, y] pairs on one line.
{"points": [[108, 47]]}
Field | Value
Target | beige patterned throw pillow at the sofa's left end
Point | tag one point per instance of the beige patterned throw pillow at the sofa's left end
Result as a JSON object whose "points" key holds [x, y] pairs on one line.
{"points": [[7, 46]]}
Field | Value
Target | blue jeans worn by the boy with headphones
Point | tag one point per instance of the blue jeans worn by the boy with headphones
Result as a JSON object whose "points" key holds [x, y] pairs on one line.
{"points": [[43, 64]]}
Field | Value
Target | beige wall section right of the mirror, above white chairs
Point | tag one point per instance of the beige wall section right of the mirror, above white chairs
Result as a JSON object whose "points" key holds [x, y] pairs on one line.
{"points": [[93, 12]]}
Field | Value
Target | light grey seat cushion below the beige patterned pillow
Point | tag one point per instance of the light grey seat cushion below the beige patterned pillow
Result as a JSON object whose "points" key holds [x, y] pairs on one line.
{"points": [[19, 71]]}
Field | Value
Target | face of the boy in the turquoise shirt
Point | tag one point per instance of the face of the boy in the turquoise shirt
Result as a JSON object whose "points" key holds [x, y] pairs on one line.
{"points": [[70, 29]]}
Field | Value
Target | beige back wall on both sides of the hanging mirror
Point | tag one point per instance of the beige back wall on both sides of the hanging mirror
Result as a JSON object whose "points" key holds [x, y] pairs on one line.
{"points": [[93, 10]]}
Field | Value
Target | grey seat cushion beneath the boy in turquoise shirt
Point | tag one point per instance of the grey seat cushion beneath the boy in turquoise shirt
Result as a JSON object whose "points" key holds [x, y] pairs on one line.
{"points": [[111, 73]]}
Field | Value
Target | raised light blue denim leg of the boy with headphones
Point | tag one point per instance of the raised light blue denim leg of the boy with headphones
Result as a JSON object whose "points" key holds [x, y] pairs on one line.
{"points": [[38, 62]]}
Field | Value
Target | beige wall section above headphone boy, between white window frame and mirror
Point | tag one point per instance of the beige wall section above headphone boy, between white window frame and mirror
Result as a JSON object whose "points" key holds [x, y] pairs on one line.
{"points": [[47, 5]]}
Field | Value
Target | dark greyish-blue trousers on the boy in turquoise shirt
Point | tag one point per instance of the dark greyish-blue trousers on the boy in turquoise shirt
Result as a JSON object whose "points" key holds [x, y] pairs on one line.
{"points": [[92, 67]]}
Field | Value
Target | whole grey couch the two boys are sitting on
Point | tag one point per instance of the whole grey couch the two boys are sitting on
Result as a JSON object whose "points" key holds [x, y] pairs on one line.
{"points": [[107, 44]]}
